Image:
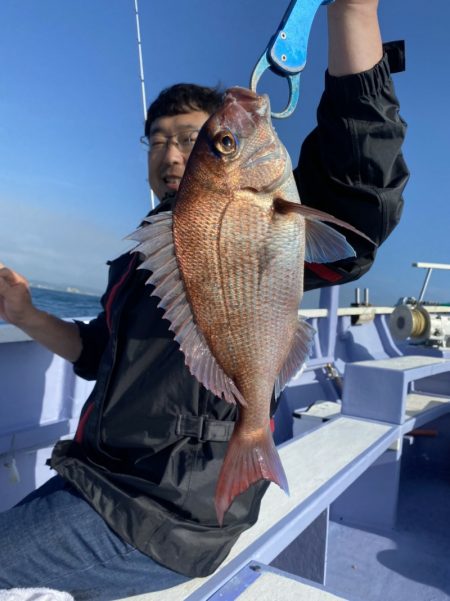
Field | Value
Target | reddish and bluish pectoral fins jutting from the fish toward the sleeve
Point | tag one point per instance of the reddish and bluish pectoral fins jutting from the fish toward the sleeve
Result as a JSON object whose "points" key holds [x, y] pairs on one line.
{"points": [[323, 243]]}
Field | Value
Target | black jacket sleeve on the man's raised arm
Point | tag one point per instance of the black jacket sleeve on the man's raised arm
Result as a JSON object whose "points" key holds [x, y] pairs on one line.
{"points": [[351, 165]]}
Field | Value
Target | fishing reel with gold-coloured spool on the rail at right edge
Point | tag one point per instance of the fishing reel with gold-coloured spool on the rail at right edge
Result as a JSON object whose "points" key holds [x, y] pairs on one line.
{"points": [[412, 321]]}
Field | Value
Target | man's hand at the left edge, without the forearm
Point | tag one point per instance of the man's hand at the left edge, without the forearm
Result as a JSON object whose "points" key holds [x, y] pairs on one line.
{"points": [[16, 306]]}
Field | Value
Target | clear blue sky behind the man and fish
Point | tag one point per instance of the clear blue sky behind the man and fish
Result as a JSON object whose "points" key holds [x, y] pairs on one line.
{"points": [[72, 170]]}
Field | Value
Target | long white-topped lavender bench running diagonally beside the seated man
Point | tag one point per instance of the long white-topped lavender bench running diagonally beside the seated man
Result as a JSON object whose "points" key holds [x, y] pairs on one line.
{"points": [[319, 466]]}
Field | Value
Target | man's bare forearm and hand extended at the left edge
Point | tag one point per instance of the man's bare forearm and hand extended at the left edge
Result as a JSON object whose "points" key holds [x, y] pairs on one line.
{"points": [[16, 307]]}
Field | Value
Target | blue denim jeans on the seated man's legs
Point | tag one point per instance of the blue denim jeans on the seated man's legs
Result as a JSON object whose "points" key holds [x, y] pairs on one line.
{"points": [[53, 538]]}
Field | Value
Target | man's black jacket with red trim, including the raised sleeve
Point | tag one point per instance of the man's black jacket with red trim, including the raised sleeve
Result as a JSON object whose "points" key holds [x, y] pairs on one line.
{"points": [[151, 439]]}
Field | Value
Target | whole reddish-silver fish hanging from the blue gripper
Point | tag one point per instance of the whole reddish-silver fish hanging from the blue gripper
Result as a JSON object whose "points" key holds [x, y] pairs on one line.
{"points": [[228, 267]]}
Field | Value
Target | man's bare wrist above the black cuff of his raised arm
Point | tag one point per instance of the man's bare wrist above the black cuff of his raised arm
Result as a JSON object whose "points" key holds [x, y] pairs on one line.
{"points": [[354, 36]]}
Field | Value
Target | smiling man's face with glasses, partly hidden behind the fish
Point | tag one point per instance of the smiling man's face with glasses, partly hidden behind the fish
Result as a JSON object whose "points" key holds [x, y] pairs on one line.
{"points": [[167, 158]]}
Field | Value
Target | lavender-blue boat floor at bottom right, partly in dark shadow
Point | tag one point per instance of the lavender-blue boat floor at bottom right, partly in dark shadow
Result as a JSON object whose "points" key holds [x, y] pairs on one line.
{"points": [[410, 561]]}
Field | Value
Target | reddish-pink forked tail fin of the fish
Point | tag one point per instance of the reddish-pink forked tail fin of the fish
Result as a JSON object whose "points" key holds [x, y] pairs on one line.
{"points": [[247, 461]]}
